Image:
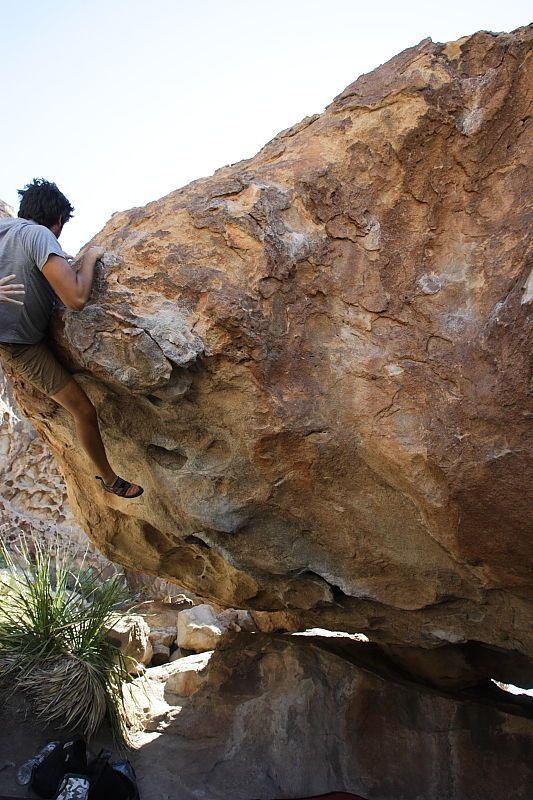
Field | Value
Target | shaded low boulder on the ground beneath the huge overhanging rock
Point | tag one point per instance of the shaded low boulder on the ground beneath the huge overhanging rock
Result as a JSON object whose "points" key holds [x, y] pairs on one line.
{"points": [[280, 717]]}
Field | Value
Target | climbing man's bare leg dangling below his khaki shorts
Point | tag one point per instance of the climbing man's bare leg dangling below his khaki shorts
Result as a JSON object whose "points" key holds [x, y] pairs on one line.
{"points": [[75, 401]]}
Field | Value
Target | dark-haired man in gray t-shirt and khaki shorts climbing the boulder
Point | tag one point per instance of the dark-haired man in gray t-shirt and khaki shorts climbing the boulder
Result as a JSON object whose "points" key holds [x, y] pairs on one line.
{"points": [[34, 272]]}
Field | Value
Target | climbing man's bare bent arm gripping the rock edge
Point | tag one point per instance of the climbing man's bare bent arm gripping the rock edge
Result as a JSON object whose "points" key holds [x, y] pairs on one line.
{"points": [[72, 284]]}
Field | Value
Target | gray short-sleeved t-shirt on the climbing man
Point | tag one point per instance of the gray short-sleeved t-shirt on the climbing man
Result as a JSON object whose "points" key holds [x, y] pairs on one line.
{"points": [[24, 250]]}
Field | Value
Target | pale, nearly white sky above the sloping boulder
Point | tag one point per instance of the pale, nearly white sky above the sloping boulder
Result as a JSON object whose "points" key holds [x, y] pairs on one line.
{"points": [[122, 101]]}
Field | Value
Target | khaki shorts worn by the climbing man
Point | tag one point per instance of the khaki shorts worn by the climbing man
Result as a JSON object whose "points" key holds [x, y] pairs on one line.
{"points": [[35, 363]]}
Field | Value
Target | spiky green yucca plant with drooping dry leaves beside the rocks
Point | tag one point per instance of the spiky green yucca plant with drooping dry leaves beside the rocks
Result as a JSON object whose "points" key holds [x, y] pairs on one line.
{"points": [[53, 638]]}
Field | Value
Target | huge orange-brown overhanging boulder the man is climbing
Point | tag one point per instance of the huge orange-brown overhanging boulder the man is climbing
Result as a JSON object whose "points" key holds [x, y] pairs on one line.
{"points": [[316, 360]]}
